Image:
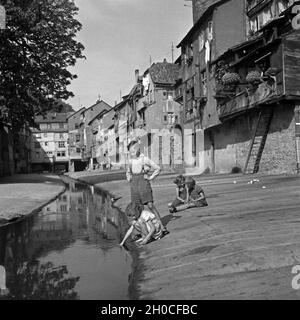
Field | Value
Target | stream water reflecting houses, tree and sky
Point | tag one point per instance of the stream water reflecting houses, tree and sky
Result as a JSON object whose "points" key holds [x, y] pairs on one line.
{"points": [[67, 251]]}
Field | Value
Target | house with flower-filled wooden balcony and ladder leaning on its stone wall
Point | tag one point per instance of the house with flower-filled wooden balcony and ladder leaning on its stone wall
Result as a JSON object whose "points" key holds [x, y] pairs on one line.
{"points": [[259, 115]]}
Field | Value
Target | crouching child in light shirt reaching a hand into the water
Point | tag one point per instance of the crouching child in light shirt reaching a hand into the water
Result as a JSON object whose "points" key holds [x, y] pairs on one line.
{"points": [[144, 222]]}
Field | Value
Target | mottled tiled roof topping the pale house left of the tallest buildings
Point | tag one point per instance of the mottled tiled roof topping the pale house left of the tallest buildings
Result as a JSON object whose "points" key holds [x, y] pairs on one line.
{"points": [[164, 73]]}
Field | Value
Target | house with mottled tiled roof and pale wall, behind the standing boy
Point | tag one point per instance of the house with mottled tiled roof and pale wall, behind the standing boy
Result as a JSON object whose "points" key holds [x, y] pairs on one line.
{"points": [[157, 120]]}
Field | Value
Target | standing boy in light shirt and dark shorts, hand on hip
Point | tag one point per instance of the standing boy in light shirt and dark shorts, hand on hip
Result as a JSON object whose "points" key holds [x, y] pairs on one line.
{"points": [[138, 176]]}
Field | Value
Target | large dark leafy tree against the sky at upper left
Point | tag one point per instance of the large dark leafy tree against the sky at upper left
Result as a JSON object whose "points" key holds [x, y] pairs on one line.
{"points": [[36, 50]]}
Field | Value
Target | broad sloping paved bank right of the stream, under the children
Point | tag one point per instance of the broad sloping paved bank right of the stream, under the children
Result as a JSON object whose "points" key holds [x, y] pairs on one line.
{"points": [[243, 246]]}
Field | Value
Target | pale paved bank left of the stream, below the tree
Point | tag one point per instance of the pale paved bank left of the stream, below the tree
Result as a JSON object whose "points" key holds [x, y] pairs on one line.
{"points": [[22, 195]]}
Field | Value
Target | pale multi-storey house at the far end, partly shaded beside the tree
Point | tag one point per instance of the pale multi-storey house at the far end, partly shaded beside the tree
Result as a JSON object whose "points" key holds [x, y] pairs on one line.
{"points": [[49, 143]]}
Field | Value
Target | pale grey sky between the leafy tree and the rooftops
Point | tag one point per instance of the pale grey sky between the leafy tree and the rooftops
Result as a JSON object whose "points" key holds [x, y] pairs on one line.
{"points": [[119, 37]]}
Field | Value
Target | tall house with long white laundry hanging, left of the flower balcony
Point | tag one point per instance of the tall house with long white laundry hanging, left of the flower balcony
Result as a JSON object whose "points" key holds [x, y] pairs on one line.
{"points": [[218, 25]]}
